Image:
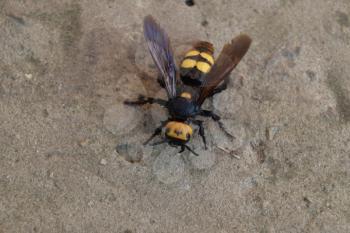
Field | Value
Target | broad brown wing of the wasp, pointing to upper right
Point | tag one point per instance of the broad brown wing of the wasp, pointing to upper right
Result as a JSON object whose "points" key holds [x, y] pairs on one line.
{"points": [[228, 59]]}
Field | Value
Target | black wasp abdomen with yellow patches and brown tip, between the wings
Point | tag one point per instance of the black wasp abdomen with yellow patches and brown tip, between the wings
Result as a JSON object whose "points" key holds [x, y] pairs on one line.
{"points": [[197, 63]]}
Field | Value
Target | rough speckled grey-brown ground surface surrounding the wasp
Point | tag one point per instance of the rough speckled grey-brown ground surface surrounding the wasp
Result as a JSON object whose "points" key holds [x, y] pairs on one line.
{"points": [[66, 66]]}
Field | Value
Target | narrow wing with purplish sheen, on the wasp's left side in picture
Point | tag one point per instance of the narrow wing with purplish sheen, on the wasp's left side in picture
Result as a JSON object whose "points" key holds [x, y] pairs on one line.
{"points": [[159, 47]]}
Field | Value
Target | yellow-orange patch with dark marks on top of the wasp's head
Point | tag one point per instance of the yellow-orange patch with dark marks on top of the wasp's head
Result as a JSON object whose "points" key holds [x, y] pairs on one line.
{"points": [[178, 130]]}
